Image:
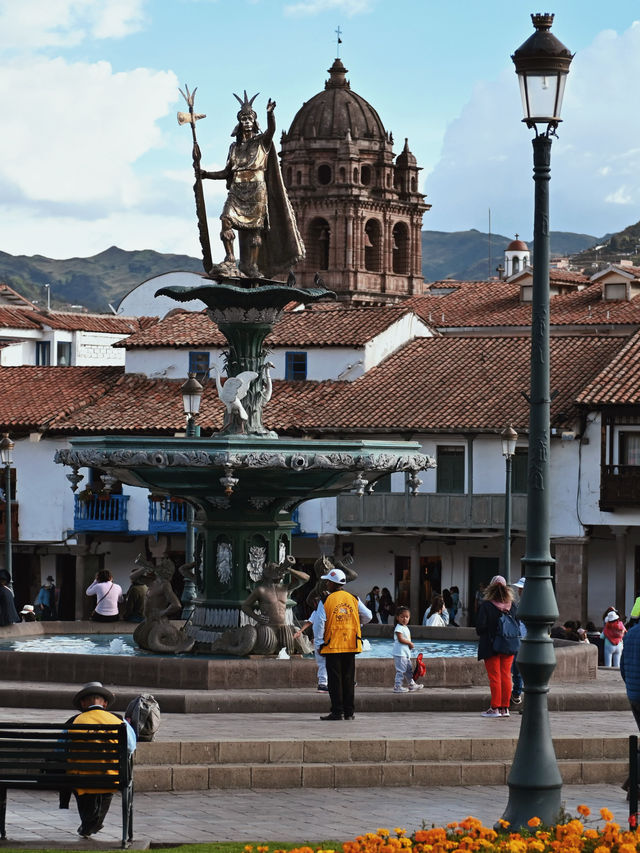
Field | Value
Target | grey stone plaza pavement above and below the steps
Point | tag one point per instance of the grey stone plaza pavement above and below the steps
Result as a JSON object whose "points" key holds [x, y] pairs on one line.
{"points": [[307, 814]]}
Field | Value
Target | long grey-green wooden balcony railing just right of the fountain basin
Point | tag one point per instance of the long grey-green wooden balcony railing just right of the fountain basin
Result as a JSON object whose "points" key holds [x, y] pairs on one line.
{"points": [[430, 512]]}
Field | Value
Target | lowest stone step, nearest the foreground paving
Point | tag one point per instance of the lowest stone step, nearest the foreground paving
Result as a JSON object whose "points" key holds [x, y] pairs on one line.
{"points": [[194, 777]]}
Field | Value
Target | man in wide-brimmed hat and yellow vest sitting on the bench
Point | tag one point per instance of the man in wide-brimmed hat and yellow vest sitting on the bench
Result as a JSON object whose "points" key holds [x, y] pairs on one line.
{"points": [[93, 701]]}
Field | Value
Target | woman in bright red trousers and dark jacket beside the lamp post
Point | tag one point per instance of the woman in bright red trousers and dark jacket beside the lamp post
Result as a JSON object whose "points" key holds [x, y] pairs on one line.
{"points": [[498, 599]]}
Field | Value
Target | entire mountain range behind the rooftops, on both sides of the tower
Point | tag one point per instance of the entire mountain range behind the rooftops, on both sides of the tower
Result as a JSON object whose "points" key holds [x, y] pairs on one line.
{"points": [[105, 278]]}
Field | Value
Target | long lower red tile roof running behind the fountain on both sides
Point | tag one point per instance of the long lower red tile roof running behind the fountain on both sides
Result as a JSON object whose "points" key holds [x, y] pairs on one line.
{"points": [[445, 384]]}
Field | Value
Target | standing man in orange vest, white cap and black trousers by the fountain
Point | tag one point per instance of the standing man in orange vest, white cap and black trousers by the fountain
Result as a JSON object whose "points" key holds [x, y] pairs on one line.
{"points": [[338, 622]]}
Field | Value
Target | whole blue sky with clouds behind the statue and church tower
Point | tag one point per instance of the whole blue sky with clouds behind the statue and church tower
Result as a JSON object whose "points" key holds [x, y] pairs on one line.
{"points": [[91, 153]]}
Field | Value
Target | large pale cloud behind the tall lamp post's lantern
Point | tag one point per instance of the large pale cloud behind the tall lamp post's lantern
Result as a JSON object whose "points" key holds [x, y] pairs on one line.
{"points": [[486, 159]]}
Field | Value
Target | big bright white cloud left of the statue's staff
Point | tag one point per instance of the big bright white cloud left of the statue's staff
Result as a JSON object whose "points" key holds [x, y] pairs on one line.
{"points": [[78, 129]]}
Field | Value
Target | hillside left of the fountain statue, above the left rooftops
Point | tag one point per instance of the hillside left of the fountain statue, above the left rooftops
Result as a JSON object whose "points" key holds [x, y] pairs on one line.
{"points": [[92, 282]]}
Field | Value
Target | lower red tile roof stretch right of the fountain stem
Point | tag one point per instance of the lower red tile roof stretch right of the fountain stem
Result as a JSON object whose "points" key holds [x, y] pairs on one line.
{"points": [[446, 384]]}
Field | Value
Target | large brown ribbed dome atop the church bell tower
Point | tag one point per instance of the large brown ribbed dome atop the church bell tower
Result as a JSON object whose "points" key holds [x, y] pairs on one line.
{"points": [[336, 110]]}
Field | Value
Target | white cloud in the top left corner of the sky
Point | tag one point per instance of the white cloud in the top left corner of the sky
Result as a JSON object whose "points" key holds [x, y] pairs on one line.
{"points": [[35, 24]]}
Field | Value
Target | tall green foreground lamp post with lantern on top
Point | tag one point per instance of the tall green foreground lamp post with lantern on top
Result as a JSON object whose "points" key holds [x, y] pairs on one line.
{"points": [[542, 64]]}
